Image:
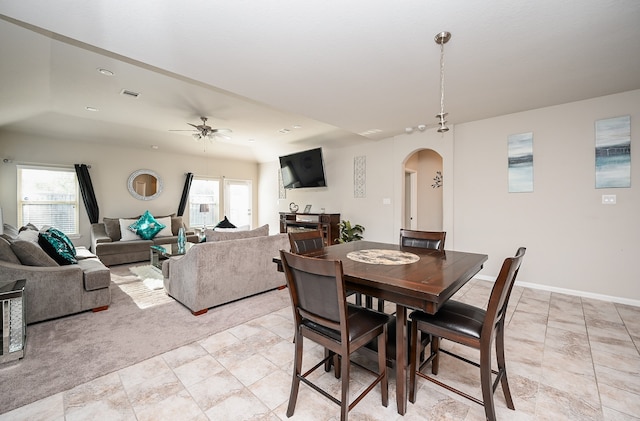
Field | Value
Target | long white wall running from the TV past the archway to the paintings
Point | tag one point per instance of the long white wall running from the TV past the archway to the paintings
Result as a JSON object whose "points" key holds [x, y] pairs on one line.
{"points": [[574, 243]]}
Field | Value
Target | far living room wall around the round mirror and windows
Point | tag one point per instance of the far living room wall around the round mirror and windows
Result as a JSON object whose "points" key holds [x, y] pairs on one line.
{"points": [[110, 169]]}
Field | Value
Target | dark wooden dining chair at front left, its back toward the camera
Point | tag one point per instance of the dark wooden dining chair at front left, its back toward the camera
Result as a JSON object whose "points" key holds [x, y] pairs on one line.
{"points": [[321, 314]]}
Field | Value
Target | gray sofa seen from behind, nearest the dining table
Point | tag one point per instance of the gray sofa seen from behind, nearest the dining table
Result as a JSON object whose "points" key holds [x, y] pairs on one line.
{"points": [[227, 267]]}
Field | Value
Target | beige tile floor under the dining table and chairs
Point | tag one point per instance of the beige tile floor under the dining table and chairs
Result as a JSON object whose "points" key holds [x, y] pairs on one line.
{"points": [[568, 358]]}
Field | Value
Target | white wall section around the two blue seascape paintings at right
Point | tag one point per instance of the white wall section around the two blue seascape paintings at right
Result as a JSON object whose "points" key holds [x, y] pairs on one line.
{"points": [[573, 241]]}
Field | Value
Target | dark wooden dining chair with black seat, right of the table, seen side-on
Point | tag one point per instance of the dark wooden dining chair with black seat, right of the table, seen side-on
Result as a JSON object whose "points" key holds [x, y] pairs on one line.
{"points": [[474, 327]]}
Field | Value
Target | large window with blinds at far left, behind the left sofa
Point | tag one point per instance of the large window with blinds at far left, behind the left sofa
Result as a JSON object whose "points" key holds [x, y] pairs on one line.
{"points": [[48, 196]]}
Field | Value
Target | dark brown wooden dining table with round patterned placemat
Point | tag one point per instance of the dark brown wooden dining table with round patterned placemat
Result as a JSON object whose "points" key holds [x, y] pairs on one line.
{"points": [[410, 277]]}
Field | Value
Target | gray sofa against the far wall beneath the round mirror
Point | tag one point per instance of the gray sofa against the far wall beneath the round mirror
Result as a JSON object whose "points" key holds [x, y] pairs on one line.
{"points": [[108, 244]]}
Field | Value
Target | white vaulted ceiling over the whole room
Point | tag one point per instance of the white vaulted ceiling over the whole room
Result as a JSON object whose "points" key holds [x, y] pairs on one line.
{"points": [[291, 75]]}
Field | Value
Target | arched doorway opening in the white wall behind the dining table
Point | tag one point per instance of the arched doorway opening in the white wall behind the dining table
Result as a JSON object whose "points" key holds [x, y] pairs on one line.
{"points": [[422, 201]]}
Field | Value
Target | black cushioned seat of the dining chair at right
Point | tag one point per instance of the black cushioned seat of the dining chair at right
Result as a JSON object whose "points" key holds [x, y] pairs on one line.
{"points": [[453, 316]]}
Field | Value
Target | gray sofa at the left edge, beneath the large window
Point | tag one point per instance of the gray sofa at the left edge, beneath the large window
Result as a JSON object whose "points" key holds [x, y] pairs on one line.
{"points": [[52, 290]]}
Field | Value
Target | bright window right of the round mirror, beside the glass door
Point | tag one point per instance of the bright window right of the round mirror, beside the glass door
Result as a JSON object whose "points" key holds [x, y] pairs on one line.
{"points": [[204, 192]]}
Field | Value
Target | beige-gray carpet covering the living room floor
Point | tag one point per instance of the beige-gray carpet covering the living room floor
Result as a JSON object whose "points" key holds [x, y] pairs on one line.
{"points": [[140, 324]]}
